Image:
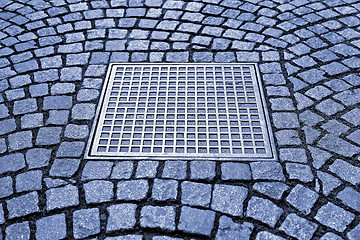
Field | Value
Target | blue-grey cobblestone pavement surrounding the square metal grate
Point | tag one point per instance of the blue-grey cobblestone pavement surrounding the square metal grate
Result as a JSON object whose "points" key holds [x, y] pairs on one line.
{"points": [[53, 57]]}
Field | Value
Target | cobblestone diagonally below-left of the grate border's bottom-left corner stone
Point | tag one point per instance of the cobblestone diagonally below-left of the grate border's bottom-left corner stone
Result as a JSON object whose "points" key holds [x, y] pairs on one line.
{"points": [[29, 181]]}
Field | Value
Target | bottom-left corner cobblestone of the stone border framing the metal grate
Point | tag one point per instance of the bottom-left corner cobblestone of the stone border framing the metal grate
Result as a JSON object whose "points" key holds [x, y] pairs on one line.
{"points": [[64, 167]]}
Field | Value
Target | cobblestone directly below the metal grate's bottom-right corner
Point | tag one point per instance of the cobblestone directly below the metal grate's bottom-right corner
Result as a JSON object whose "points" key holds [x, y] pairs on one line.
{"points": [[267, 171]]}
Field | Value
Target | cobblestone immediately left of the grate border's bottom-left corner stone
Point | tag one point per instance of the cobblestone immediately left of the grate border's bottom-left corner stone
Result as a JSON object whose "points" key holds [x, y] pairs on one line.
{"points": [[38, 157]]}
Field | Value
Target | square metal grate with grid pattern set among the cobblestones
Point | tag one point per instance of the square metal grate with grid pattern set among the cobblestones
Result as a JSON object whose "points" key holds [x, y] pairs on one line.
{"points": [[182, 111]]}
